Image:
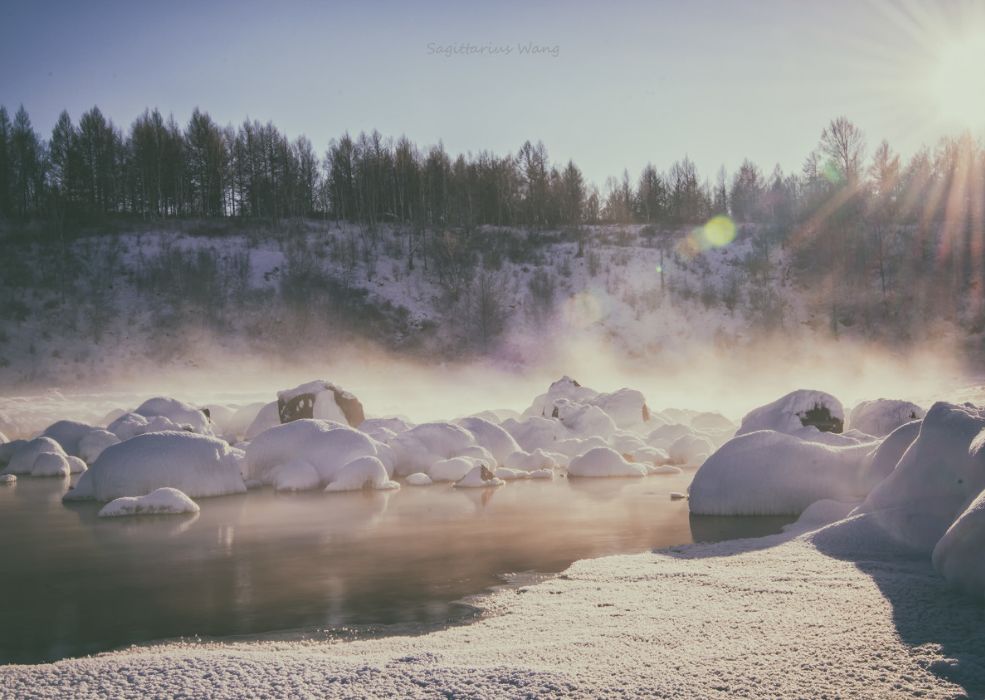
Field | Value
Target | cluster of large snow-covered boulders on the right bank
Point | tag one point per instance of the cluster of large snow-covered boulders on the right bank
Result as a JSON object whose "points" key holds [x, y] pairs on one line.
{"points": [[919, 482]]}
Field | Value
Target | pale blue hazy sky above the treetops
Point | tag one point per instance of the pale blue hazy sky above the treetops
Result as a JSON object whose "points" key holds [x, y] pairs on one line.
{"points": [[613, 85]]}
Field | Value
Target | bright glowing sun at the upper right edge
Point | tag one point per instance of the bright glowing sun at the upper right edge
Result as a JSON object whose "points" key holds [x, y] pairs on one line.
{"points": [[959, 83]]}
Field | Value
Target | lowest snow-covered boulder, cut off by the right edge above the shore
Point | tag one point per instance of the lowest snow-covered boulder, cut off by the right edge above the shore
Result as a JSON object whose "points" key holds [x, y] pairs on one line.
{"points": [[959, 556]]}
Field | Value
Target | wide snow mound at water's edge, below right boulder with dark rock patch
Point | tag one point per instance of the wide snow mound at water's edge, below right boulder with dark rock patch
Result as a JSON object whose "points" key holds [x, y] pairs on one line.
{"points": [[772, 473]]}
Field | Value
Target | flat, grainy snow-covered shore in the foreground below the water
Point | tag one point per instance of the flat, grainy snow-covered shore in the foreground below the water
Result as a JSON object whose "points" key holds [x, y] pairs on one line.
{"points": [[820, 614]]}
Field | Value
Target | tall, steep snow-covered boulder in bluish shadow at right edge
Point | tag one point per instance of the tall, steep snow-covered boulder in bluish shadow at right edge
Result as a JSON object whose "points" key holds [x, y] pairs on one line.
{"points": [[936, 479]]}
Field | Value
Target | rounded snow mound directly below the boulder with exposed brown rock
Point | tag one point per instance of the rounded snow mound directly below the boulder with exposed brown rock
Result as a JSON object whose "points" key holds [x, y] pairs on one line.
{"points": [[324, 445]]}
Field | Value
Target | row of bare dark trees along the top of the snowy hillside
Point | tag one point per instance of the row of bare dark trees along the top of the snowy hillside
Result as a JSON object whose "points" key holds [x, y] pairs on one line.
{"points": [[157, 169]]}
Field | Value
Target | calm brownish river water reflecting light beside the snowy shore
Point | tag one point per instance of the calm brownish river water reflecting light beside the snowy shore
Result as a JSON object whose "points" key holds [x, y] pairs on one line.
{"points": [[74, 584]]}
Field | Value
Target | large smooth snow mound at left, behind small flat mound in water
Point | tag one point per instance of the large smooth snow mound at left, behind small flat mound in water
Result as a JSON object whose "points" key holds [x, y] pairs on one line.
{"points": [[196, 464]]}
